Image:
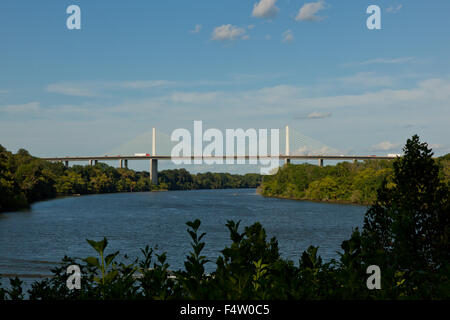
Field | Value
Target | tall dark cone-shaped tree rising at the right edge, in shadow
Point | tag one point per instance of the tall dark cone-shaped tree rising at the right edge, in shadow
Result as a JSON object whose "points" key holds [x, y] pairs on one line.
{"points": [[408, 227]]}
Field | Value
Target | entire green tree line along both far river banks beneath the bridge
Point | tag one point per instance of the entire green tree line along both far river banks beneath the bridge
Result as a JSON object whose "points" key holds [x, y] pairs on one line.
{"points": [[25, 179]]}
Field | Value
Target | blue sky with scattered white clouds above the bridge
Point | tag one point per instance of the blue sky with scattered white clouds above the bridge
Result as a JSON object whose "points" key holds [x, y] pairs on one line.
{"points": [[312, 65]]}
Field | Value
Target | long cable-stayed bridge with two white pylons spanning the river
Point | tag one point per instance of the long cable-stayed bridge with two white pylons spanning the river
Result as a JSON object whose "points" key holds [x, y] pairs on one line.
{"points": [[153, 158]]}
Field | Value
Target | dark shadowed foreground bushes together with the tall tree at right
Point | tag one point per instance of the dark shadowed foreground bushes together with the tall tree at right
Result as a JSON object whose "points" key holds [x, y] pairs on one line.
{"points": [[401, 252]]}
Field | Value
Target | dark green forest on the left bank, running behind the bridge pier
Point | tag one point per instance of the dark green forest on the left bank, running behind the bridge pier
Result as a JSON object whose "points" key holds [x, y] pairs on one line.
{"points": [[25, 179]]}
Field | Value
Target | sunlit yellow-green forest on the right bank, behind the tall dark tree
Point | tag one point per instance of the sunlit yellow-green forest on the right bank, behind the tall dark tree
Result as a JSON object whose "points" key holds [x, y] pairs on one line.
{"points": [[345, 182]]}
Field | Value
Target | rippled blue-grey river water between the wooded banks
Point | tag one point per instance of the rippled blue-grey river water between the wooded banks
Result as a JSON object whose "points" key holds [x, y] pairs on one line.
{"points": [[31, 242]]}
